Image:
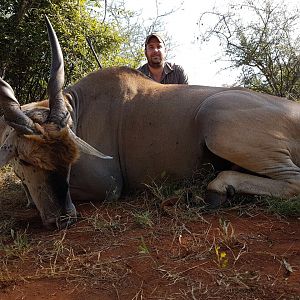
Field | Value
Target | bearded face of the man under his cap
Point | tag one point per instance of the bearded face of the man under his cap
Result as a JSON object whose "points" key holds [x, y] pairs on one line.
{"points": [[155, 52]]}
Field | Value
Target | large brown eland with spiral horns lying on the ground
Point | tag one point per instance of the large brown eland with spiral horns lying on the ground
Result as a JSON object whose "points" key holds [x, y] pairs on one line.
{"points": [[144, 128]]}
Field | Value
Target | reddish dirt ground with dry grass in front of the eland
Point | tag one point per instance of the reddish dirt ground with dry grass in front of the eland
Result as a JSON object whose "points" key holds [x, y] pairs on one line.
{"points": [[138, 249]]}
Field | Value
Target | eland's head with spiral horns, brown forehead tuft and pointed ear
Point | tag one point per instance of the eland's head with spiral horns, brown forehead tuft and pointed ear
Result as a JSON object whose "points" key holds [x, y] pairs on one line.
{"points": [[37, 140]]}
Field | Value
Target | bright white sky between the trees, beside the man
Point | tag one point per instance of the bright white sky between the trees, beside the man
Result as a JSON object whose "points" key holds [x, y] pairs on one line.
{"points": [[198, 60]]}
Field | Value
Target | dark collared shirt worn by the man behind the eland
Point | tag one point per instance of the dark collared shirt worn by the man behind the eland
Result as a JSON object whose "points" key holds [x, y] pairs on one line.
{"points": [[172, 73]]}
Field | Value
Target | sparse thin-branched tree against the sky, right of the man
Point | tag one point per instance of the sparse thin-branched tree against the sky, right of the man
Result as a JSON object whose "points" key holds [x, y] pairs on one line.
{"points": [[264, 45]]}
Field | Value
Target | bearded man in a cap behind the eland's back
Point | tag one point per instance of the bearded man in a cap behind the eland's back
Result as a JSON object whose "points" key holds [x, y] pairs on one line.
{"points": [[157, 68]]}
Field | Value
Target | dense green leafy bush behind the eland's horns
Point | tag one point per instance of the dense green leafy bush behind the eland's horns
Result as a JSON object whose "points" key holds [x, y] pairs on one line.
{"points": [[25, 53]]}
